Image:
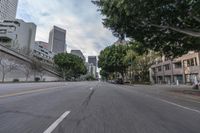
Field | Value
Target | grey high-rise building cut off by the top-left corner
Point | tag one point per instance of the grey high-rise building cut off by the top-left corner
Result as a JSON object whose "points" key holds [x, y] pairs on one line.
{"points": [[8, 9]]}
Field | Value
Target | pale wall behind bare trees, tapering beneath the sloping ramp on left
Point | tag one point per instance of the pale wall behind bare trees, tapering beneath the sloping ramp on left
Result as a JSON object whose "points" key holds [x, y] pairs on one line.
{"points": [[16, 68]]}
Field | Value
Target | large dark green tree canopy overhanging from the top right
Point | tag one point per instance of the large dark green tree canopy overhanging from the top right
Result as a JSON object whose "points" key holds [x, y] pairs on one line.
{"points": [[171, 27]]}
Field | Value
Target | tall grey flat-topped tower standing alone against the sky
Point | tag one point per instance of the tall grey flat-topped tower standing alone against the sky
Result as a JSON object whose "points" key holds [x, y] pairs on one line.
{"points": [[57, 40]]}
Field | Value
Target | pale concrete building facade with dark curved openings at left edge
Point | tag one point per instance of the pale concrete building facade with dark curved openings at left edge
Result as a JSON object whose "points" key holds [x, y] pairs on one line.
{"points": [[18, 35]]}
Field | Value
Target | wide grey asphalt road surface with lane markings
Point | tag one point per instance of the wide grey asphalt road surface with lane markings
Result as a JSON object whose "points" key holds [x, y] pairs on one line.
{"points": [[94, 107]]}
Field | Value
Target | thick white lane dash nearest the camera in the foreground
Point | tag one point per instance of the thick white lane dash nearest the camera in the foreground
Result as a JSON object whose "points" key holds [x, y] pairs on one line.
{"points": [[57, 122]]}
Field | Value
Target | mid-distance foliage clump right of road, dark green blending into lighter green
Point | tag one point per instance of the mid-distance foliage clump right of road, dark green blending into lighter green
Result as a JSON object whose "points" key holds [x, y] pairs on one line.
{"points": [[124, 58]]}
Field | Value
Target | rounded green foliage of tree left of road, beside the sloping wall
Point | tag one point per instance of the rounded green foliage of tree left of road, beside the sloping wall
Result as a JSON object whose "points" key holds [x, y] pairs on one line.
{"points": [[70, 66]]}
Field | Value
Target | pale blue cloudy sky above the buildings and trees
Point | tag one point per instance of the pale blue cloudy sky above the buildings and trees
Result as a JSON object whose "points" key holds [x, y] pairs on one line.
{"points": [[80, 18]]}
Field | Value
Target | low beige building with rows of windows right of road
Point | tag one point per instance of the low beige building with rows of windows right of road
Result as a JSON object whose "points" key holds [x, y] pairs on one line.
{"points": [[183, 69]]}
